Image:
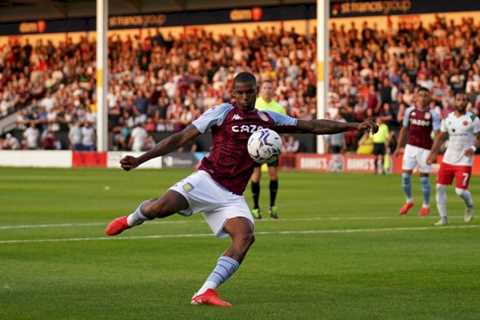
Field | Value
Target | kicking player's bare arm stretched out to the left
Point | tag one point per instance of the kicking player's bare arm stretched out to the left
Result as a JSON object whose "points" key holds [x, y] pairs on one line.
{"points": [[167, 145]]}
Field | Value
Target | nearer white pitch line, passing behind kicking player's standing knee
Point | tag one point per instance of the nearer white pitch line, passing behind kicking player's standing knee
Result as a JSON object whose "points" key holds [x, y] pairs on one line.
{"points": [[202, 235]]}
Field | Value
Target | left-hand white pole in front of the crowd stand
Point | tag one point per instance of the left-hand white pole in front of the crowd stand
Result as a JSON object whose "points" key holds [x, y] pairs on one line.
{"points": [[102, 75]]}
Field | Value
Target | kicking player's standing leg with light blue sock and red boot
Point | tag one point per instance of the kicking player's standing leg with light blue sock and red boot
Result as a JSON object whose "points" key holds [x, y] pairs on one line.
{"points": [[241, 232]]}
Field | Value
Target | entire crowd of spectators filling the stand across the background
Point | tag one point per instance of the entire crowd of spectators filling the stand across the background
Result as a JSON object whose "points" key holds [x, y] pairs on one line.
{"points": [[160, 83]]}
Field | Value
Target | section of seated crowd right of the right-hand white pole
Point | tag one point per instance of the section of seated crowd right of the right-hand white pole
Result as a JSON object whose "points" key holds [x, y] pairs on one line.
{"points": [[374, 72]]}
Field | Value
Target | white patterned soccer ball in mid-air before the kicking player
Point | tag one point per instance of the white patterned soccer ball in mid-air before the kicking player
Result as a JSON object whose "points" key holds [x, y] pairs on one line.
{"points": [[264, 145]]}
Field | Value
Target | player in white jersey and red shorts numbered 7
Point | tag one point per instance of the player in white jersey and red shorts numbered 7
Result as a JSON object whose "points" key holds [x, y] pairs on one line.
{"points": [[463, 130]]}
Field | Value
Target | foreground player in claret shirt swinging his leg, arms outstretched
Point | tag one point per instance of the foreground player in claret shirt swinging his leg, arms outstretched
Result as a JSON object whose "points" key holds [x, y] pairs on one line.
{"points": [[216, 188]]}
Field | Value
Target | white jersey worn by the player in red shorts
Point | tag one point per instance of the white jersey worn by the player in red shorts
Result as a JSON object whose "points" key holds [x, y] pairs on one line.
{"points": [[462, 133]]}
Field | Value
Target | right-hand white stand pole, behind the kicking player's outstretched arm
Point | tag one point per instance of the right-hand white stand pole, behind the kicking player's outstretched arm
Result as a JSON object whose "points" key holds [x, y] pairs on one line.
{"points": [[323, 14]]}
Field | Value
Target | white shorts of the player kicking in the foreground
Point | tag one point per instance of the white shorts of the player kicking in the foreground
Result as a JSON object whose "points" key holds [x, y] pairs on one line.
{"points": [[216, 203]]}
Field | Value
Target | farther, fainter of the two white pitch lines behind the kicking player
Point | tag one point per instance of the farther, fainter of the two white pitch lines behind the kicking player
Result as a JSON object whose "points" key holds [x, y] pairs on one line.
{"points": [[97, 224]]}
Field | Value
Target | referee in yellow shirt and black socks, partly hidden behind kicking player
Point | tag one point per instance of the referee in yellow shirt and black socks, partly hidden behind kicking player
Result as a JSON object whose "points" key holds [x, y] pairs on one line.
{"points": [[265, 102]]}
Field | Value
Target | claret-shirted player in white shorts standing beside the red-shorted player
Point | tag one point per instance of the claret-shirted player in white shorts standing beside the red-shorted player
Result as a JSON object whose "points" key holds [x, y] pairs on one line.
{"points": [[418, 124]]}
